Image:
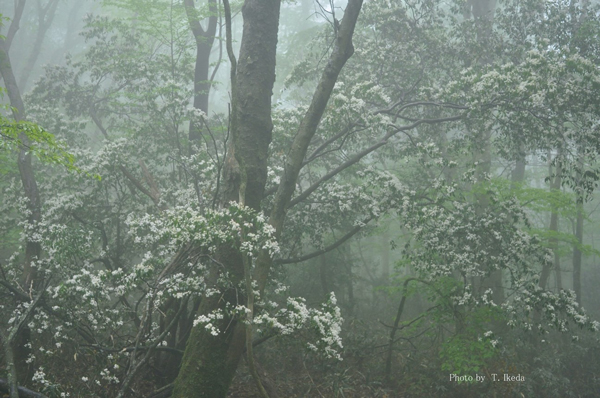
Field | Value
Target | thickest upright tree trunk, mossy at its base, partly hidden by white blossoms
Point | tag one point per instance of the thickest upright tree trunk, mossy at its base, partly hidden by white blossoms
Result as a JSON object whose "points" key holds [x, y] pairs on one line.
{"points": [[209, 362]]}
